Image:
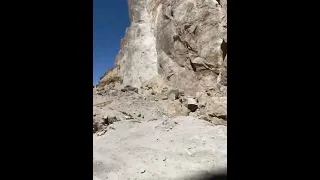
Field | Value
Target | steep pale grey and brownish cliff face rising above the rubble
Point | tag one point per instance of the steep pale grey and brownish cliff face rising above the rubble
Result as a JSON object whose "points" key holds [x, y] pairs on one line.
{"points": [[182, 41]]}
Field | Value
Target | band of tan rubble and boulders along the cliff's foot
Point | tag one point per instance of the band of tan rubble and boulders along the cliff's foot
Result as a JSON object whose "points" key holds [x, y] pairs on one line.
{"points": [[154, 100]]}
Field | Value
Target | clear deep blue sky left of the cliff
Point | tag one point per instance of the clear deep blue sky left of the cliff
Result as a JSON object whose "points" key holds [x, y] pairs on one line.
{"points": [[110, 19]]}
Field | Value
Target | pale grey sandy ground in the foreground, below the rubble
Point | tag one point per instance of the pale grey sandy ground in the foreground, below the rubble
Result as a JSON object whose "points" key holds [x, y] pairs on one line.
{"points": [[167, 148]]}
